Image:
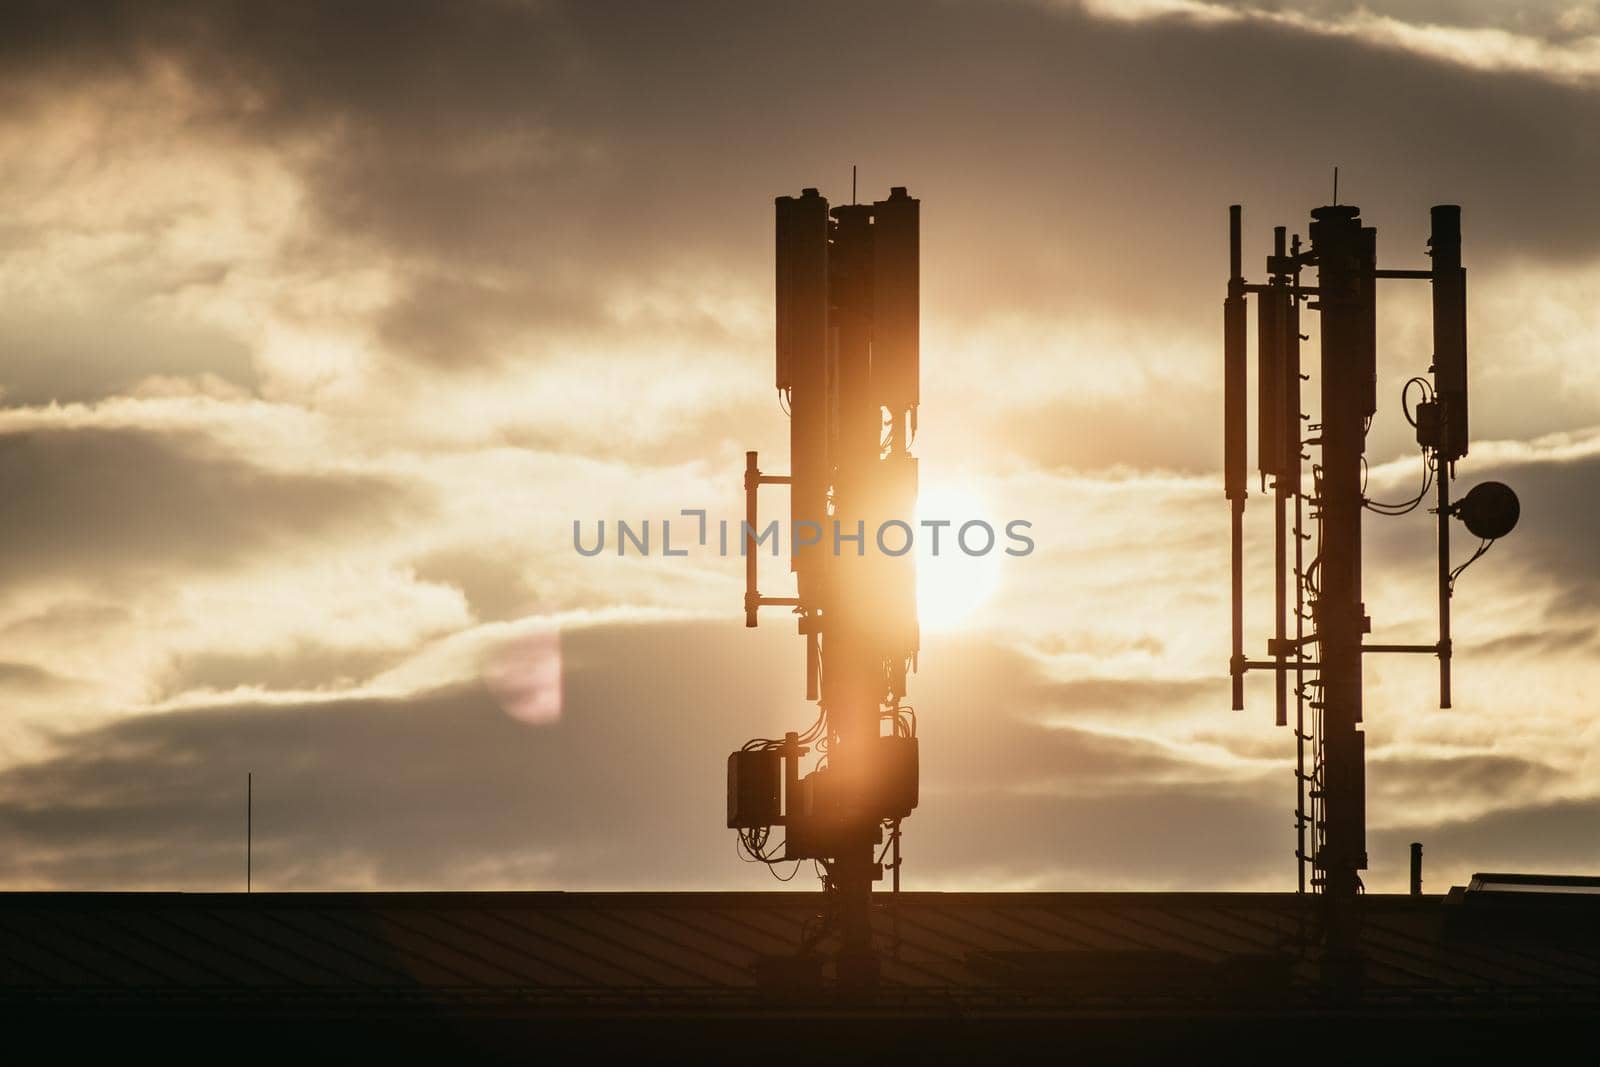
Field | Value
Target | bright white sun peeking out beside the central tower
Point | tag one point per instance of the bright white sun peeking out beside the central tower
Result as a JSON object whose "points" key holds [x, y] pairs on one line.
{"points": [[953, 585]]}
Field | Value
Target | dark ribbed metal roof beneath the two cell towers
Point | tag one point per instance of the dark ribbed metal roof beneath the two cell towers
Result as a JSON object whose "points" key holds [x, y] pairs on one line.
{"points": [[1070, 954]]}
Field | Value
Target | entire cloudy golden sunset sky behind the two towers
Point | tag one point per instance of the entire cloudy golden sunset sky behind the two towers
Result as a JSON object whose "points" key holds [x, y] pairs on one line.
{"points": [[321, 326]]}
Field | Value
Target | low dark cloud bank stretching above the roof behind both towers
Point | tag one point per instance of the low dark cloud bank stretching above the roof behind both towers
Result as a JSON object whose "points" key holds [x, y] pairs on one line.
{"points": [[623, 789]]}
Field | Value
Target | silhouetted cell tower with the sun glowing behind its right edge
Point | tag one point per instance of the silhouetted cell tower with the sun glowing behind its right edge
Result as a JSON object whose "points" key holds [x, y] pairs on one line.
{"points": [[849, 377]]}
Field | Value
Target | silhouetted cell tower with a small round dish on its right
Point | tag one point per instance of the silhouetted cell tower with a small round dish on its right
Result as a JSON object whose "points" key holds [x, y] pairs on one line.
{"points": [[1327, 589]]}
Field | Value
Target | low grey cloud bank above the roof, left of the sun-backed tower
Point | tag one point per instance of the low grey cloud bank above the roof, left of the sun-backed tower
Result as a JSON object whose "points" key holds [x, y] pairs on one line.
{"points": [[441, 789]]}
